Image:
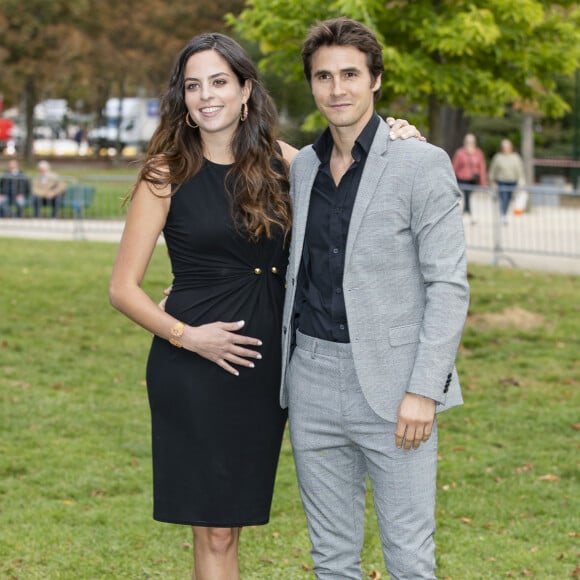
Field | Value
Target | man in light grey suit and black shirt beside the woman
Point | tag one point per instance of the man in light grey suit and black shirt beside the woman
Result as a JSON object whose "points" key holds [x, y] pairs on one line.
{"points": [[376, 301]]}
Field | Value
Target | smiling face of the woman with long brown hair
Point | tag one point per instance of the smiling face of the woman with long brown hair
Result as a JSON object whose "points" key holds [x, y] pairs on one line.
{"points": [[213, 95]]}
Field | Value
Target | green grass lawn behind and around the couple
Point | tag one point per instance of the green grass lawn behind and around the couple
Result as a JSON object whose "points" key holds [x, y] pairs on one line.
{"points": [[75, 474]]}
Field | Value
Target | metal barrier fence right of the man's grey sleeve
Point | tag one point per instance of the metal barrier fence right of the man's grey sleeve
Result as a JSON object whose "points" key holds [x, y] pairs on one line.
{"points": [[541, 220]]}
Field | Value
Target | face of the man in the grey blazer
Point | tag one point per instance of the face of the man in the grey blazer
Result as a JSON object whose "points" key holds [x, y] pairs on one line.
{"points": [[342, 86]]}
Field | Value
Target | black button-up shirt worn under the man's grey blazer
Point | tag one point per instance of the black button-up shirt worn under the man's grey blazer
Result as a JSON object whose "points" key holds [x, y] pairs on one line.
{"points": [[320, 308]]}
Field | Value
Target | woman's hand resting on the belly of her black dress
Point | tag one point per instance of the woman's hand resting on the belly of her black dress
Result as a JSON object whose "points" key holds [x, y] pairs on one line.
{"points": [[220, 343]]}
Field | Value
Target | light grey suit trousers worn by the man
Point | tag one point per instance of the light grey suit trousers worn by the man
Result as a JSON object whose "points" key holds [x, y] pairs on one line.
{"points": [[337, 442]]}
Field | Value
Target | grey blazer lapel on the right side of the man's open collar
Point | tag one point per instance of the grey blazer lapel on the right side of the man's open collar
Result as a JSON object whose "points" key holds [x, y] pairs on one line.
{"points": [[374, 167]]}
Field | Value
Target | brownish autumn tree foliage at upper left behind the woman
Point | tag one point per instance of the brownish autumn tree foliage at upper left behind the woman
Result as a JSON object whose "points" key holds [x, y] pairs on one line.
{"points": [[88, 50]]}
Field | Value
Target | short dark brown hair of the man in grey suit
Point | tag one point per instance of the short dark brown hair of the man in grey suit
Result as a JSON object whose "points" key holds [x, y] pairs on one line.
{"points": [[344, 32]]}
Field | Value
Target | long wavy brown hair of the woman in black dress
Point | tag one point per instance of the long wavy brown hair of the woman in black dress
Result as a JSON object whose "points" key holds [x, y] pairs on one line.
{"points": [[258, 181]]}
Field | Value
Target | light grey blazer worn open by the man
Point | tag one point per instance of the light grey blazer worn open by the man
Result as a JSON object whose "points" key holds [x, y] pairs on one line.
{"points": [[405, 280]]}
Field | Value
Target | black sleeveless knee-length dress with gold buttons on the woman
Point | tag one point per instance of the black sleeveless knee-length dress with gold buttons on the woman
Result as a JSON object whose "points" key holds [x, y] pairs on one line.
{"points": [[216, 437]]}
